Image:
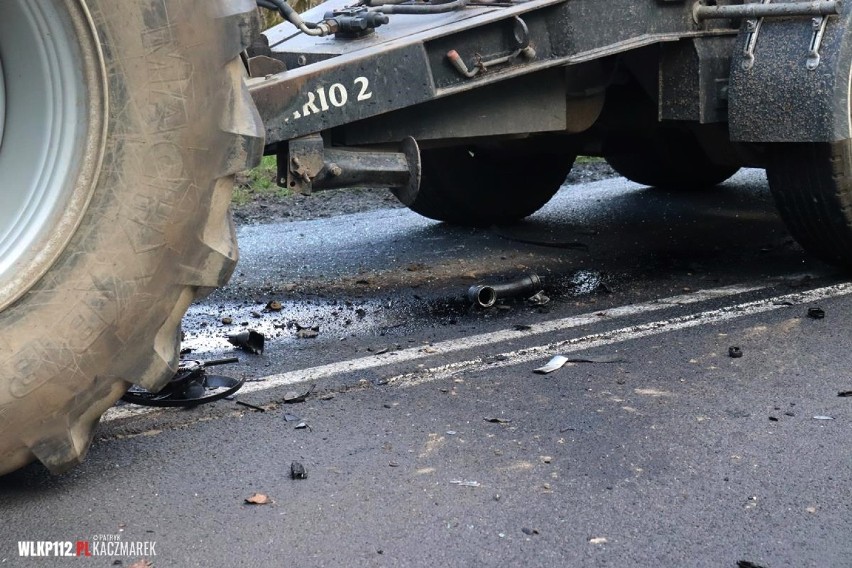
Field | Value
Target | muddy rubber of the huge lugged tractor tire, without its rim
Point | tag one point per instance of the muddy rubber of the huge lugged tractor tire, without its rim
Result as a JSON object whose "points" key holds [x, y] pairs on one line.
{"points": [[155, 235]]}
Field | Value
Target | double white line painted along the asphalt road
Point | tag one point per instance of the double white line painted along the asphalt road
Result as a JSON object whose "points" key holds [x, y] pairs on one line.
{"points": [[461, 344]]}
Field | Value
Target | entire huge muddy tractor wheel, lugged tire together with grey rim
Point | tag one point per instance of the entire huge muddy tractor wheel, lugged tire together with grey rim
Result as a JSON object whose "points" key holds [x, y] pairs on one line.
{"points": [[125, 123]]}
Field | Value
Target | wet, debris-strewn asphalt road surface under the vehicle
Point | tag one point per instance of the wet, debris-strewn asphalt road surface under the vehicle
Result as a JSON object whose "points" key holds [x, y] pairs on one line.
{"points": [[430, 441]]}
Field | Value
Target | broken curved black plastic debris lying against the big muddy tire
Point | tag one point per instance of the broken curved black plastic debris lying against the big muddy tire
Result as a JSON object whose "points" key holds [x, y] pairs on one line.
{"points": [[190, 386]]}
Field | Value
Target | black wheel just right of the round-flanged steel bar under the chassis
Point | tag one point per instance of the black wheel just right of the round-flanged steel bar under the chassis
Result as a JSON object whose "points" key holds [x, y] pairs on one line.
{"points": [[477, 186]]}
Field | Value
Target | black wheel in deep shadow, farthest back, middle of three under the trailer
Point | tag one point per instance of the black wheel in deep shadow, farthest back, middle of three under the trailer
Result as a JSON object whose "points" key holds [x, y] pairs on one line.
{"points": [[671, 160]]}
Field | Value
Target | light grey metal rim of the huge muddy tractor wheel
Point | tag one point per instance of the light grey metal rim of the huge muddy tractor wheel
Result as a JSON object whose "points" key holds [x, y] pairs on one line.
{"points": [[52, 117]]}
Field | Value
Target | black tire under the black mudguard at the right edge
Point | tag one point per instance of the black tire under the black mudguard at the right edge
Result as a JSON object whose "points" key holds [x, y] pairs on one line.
{"points": [[812, 187]]}
